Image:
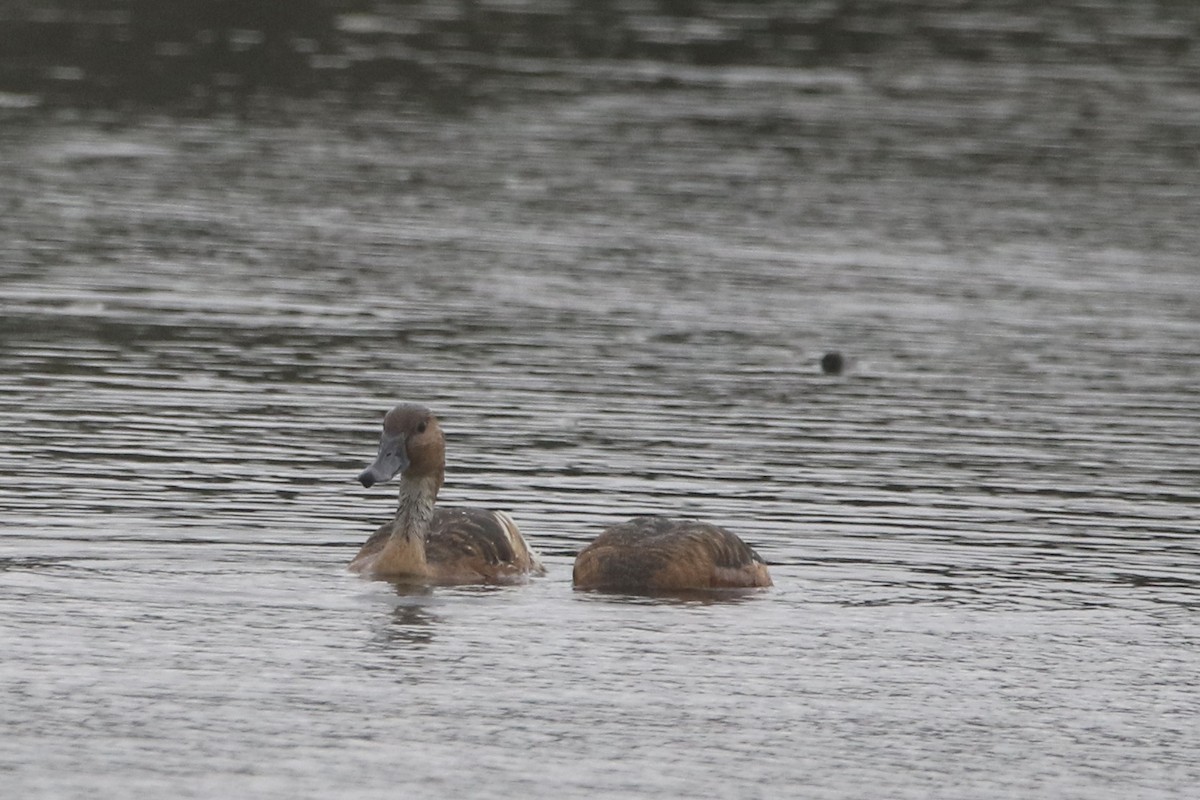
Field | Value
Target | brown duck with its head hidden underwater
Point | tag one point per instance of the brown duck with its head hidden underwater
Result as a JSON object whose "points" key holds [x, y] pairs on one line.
{"points": [[661, 554]]}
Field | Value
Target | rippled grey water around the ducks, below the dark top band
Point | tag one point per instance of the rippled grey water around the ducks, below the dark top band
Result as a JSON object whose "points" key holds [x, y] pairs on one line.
{"points": [[615, 290]]}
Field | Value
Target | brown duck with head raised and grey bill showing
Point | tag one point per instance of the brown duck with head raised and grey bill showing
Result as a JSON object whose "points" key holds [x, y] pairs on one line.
{"points": [[428, 543]]}
